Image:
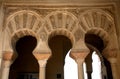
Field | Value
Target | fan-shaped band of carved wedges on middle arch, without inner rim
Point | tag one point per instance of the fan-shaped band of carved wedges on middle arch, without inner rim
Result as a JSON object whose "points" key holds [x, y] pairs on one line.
{"points": [[60, 19]]}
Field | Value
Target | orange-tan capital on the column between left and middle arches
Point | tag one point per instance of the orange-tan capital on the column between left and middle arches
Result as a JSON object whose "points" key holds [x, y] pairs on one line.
{"points": [[42, 56]]}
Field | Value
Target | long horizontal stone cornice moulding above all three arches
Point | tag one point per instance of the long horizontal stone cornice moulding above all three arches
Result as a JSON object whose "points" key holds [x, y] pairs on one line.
{"points": [[58, 4]]}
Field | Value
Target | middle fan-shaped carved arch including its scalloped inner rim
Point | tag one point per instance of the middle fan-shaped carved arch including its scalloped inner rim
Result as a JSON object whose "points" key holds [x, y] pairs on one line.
{"points": [[57, 21]]}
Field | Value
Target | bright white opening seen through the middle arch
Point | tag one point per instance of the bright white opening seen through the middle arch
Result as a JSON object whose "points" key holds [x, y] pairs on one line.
{"points": [[70, 68]]}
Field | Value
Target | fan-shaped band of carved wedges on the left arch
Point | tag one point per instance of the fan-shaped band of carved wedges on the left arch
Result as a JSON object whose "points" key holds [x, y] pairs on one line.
{"points": [[23, 19]]}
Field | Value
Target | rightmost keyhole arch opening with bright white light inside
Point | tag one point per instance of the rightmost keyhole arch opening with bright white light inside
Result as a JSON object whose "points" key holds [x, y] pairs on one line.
{"points": [[96, 46]]}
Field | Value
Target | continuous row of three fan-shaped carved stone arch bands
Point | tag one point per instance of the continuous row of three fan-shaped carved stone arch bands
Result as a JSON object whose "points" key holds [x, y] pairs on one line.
{"points": [[59, 23]]}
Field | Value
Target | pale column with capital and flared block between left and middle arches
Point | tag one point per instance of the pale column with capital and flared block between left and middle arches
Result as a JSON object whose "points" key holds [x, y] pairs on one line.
{"points": [[42, 53]]}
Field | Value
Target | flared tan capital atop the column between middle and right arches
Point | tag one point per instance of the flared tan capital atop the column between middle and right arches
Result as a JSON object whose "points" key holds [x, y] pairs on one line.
{"points": [[79, 54]]}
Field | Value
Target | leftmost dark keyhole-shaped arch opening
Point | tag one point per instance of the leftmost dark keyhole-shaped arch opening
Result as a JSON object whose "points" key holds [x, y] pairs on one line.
{"points": [[25, 65]]}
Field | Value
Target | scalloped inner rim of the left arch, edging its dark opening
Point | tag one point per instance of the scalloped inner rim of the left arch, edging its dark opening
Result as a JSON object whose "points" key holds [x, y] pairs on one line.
{"points": [[21, 33]]}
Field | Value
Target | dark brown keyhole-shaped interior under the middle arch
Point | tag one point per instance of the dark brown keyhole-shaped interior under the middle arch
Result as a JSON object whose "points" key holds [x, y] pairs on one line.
{"points": [[60, 45]]}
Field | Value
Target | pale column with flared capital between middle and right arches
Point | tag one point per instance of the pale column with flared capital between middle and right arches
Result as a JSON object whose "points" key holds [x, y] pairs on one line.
{"points": [[79, 57]]}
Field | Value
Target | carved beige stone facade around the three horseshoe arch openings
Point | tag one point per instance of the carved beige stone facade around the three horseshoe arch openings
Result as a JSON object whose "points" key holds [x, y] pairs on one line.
{"points": [[44, 19]]}
